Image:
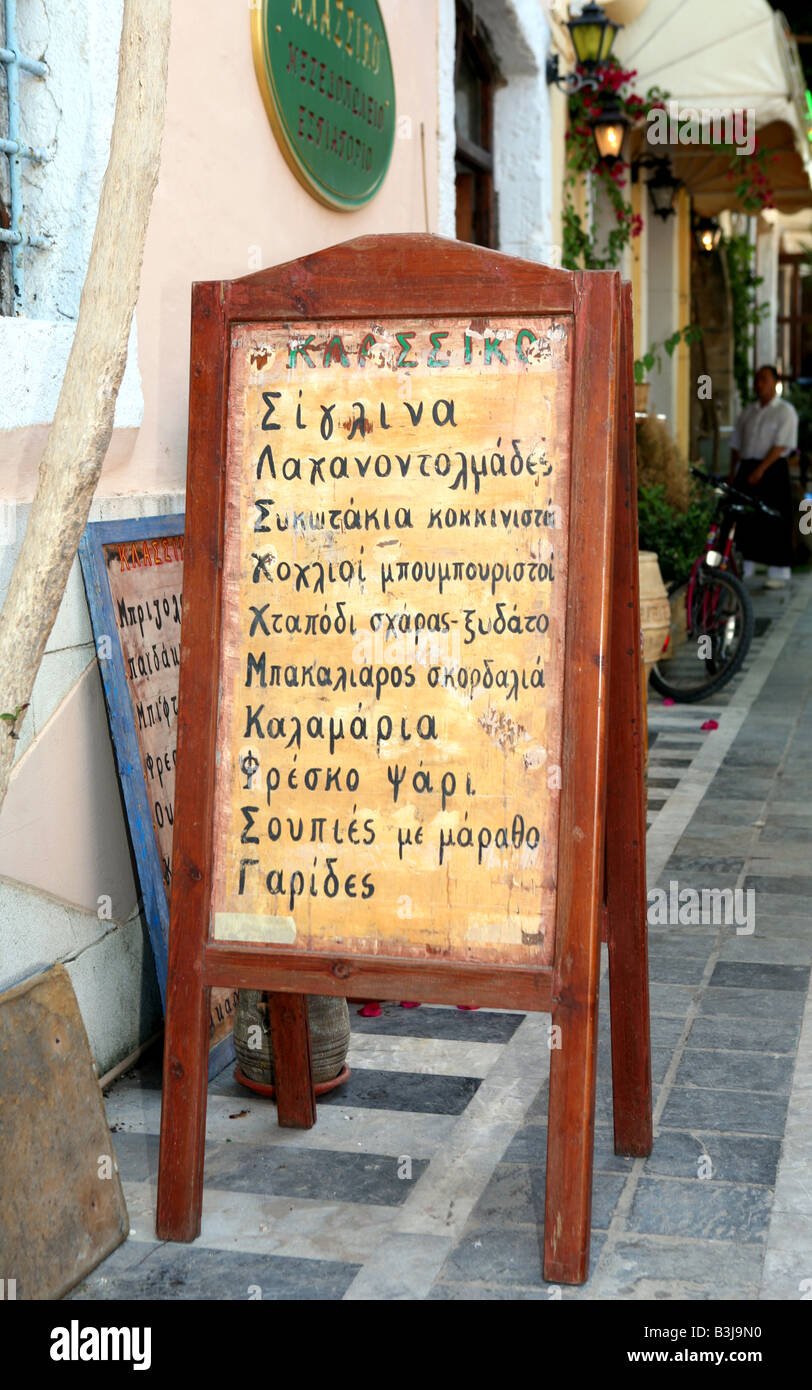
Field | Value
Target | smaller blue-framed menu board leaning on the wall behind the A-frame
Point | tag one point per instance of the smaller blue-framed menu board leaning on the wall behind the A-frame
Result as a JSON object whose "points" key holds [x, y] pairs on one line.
{"points": [[134, 580]]}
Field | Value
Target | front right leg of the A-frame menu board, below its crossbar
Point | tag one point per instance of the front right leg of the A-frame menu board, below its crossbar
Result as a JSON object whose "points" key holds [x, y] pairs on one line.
{"points": [[569, 1145]]}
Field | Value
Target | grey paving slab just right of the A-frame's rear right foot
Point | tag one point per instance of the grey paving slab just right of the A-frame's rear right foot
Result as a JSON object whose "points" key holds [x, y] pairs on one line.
{"points": [[735, 1159]]}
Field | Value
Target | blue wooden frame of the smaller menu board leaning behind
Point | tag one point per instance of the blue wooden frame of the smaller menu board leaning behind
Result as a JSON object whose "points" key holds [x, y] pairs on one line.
{"points": [[117, 698]]}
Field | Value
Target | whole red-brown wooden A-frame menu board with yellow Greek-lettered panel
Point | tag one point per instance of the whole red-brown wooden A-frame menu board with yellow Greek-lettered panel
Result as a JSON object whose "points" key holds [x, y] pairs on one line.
{"points": [[409, 747]]}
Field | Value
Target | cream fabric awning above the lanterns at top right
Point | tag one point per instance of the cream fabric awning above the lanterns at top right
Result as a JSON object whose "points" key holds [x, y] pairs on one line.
{"points": [[726, 55]]}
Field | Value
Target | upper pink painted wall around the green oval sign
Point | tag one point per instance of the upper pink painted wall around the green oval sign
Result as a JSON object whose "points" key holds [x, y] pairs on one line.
{"points": [[227, 204]]}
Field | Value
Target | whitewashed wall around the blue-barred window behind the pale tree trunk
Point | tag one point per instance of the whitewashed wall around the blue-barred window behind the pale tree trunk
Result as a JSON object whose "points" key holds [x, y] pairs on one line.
{"points": [[70, 115]]}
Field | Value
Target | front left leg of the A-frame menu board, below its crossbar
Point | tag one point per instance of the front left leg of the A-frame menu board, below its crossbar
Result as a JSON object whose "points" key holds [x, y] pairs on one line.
{"points": [[184, 1114]]}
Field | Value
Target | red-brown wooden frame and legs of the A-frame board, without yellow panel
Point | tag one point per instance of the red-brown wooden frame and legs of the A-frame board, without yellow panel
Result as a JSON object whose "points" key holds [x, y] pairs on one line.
{"points": [[601, 882]]}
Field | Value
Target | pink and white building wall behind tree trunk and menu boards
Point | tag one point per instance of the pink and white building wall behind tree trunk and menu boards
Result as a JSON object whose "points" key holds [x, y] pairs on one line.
{"points": [[226, 205]]}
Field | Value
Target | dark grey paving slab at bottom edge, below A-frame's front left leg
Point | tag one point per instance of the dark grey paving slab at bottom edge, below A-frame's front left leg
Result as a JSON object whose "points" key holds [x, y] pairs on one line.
{"points": [[194, 1273]]}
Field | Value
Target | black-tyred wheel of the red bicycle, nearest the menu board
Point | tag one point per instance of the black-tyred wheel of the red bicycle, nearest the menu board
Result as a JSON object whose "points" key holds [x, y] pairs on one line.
{"points": [[708, 643]]}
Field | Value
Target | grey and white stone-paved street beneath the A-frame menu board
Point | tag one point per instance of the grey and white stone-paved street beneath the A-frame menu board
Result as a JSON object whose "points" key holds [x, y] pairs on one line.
{"points": [[425, 1175]]}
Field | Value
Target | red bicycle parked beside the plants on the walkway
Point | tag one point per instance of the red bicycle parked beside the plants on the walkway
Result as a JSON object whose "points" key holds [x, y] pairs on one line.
{"points": [[713, 619]]}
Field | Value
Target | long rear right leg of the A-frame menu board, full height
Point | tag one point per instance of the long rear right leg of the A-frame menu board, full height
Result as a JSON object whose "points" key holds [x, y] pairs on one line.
{"points": [[625, 885]]}
